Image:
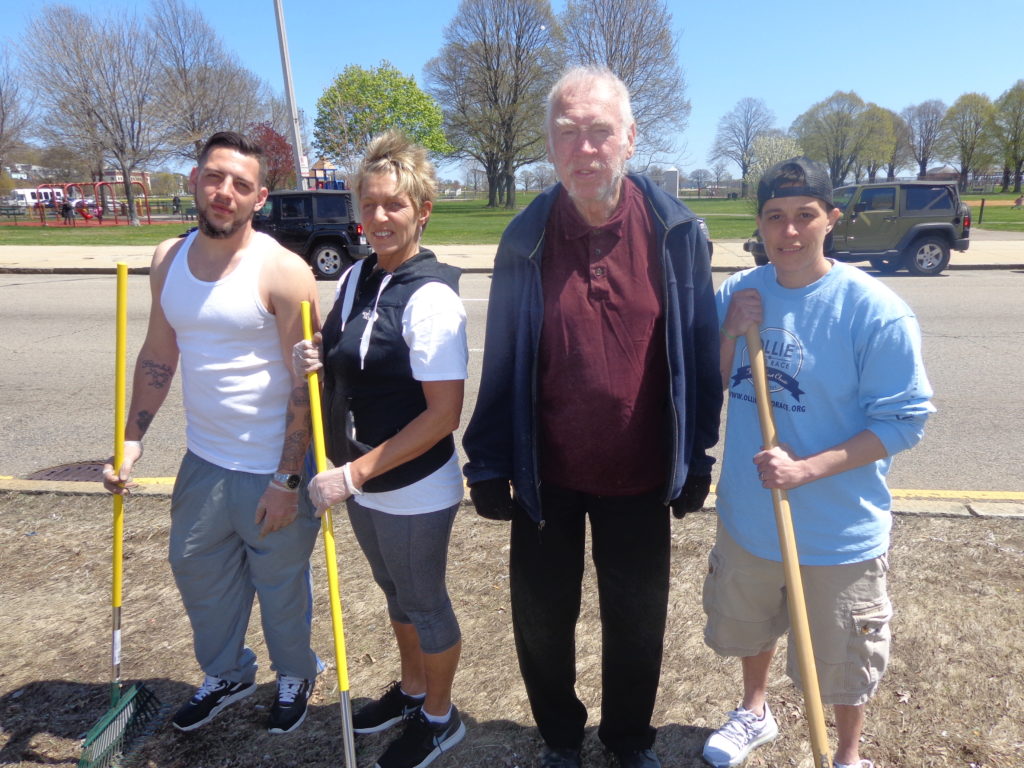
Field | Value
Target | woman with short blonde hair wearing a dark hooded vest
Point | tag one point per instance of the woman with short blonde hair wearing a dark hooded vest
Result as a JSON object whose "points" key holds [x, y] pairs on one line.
{"points": [[396, 359]]}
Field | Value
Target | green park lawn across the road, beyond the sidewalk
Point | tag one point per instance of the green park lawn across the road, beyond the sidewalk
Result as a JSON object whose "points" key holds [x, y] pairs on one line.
{"points": [[472, 223]]}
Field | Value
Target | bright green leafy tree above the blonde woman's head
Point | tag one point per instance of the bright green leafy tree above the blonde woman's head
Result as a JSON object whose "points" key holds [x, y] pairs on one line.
{"points": [[362, 104]]}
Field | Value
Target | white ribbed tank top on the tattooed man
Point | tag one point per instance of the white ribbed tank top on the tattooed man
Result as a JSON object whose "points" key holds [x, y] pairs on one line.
{"points": [[234, 378]]}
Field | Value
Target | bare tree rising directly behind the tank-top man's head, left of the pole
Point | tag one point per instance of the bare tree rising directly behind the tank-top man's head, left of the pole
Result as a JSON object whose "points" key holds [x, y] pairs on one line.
{"points": [[203, 89]]}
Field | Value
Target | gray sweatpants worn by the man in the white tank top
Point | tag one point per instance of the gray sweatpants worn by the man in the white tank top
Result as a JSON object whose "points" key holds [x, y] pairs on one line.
{"points": [[220, 564]]}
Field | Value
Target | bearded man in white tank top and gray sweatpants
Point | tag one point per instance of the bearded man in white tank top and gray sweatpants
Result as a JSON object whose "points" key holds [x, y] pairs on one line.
{"points": [[227, 304]]}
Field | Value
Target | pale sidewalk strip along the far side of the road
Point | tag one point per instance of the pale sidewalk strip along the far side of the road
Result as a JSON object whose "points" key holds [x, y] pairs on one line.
{"points": [[990, 250]]}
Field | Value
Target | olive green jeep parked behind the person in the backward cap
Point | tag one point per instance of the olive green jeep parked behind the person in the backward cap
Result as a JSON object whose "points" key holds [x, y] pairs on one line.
{"points": [[895, 225]]}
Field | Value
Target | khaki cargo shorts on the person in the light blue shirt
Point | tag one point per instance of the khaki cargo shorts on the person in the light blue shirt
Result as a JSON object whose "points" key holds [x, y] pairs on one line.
{"points": [[847, 607]]}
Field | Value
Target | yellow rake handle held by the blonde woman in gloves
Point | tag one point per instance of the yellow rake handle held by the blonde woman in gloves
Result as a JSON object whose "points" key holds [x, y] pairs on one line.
{"points": [[320, 454]]}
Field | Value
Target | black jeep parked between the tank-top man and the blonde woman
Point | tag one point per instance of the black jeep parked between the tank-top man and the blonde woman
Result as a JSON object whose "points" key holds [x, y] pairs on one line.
{"points": [[321, 226]]}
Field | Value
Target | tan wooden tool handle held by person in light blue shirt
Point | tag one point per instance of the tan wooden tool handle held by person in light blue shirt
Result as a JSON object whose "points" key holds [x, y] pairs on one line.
{"points": [[791, 564]]}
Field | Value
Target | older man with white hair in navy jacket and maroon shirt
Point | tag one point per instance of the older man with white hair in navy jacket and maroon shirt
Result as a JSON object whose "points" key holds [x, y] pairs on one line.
{"points": [[600, 400]]}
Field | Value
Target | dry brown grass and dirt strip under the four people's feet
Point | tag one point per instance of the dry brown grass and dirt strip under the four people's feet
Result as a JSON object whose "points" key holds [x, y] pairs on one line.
{"points": [[953, 696]]}
